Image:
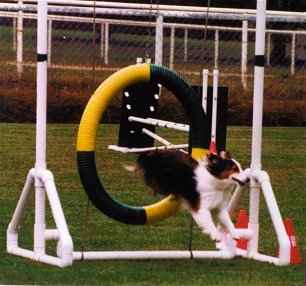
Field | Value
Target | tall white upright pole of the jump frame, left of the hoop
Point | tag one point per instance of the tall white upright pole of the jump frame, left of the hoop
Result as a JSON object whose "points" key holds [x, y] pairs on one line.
{"points": [[41, 122]]}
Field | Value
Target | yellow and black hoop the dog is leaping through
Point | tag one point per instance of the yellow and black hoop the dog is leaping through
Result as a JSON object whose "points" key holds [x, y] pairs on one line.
{"points": [[86, 140]]}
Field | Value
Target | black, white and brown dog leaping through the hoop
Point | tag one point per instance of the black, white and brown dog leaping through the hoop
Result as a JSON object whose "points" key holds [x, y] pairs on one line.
{"points": [[203, 186]]}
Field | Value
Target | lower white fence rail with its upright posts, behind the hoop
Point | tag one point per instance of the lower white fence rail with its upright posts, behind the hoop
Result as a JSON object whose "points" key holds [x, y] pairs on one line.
{"points": [[159, 25]]}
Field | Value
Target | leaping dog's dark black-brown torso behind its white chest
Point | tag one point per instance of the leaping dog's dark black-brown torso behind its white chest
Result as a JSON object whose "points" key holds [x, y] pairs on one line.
{"points": [[170, 172]]}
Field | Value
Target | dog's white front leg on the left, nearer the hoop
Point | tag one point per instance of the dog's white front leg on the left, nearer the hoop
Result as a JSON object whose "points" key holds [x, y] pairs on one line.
{"points": [[205, 221]]}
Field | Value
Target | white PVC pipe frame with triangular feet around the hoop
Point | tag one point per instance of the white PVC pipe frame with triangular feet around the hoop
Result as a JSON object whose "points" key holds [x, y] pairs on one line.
{"points": [[43, 182]]}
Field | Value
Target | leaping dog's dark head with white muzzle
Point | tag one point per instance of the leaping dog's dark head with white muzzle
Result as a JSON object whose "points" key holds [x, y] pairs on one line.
{"points": [[223, 166]]}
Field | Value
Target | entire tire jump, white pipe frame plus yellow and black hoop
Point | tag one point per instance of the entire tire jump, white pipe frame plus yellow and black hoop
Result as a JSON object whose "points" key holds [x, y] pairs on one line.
{"points": [[43, 181]]}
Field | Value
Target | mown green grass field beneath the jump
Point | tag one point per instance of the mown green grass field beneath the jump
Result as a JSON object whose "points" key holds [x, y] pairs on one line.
{"points": [[284, 157]]}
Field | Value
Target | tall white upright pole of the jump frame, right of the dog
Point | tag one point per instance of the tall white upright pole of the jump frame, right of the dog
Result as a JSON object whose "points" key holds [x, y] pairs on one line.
{"points": [[257, 122]]}
